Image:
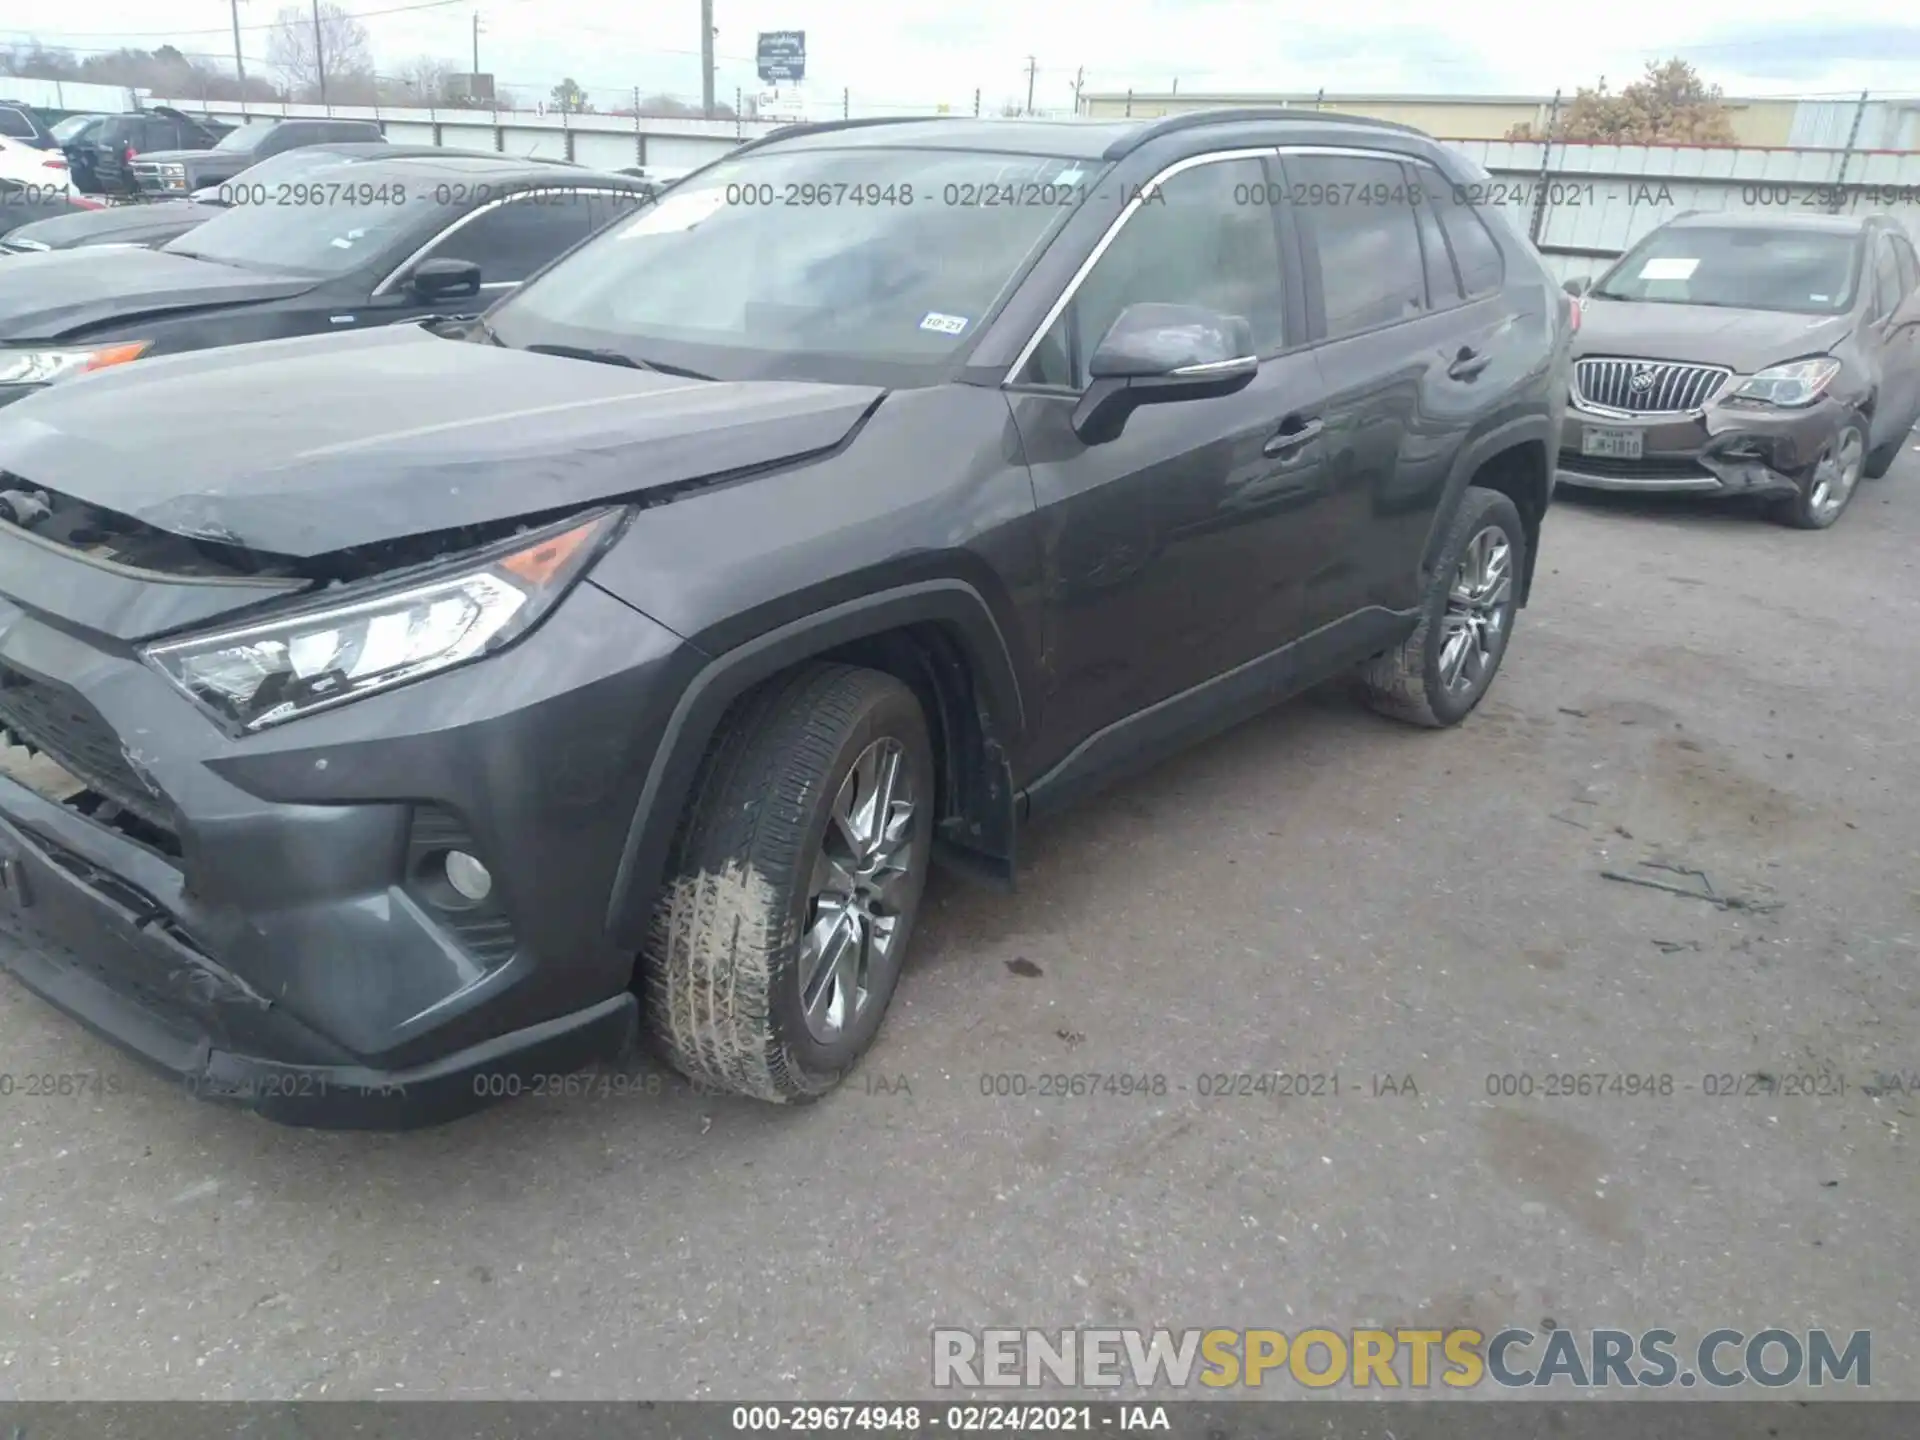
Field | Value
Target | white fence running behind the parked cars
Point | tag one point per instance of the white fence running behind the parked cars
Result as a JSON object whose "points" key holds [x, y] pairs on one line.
{"points": [[1583, 204]]}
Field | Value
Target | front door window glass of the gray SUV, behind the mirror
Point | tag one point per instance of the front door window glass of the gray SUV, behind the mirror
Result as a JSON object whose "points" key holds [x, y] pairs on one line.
{"points": [[1205, 237]]}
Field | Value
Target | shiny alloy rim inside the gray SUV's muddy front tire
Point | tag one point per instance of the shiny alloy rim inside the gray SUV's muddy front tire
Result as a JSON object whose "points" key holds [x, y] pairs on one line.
{"points": [[861, 884]]}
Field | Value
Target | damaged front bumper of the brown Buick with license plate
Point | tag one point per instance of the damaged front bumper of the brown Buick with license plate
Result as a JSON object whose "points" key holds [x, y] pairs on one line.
{"points": [[1723, 450]]}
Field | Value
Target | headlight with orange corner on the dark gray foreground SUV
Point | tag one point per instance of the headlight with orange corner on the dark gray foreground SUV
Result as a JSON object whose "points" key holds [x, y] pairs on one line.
{"points": [[320, 658]]}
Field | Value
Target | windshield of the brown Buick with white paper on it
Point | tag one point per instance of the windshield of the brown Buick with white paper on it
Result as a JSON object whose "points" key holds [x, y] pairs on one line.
{"points": [[1800, 272]]}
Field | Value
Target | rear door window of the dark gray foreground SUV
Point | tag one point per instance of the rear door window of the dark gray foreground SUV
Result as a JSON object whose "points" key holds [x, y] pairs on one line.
{"points": [[1360, 241]]}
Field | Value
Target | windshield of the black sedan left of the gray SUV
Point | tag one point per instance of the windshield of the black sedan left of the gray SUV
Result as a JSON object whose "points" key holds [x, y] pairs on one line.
{"points": [[333, 228]]}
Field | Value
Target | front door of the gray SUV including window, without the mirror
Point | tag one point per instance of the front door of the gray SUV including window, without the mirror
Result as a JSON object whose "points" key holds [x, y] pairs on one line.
{"points": [[1174, 552]]}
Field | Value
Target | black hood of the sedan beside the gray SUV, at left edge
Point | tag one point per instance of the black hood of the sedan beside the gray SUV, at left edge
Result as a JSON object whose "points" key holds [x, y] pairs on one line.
{"points": [[57, 293]]}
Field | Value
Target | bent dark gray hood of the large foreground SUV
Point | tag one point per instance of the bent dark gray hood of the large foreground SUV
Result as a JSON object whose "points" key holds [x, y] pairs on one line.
{"points": [[327, 443]]}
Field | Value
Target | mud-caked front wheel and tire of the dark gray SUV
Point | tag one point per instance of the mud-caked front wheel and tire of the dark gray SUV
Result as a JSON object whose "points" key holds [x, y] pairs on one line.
{"points": [[790, 903]]}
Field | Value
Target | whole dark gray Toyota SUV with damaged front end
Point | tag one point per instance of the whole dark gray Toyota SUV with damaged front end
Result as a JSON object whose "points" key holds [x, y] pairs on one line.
{"points": [[423, 711]]}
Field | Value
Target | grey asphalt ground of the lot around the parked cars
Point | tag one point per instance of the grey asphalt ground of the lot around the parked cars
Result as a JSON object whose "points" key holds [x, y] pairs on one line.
{"points": [[1318, 894]]}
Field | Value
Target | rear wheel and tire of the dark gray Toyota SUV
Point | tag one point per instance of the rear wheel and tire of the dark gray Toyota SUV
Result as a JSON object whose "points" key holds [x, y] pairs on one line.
{"points": [[1439, 673]]}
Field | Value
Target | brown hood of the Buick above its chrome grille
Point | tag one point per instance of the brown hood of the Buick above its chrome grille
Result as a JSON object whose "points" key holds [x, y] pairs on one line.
{"points": [[1744, 341]]}
